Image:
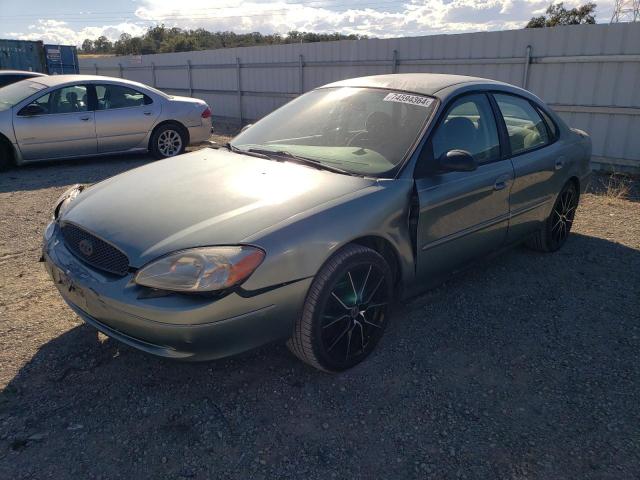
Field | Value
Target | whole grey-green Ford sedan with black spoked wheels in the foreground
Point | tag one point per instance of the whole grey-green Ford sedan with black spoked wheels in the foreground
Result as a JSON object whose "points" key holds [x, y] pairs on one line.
{"points": [[311, 222]]}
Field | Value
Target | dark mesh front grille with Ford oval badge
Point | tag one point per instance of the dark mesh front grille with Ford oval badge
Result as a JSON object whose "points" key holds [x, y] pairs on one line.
{"points": [[95, 251]]}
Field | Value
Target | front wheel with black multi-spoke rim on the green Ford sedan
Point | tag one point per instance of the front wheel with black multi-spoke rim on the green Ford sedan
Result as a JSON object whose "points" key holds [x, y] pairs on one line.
{"points": [[345, 312]]}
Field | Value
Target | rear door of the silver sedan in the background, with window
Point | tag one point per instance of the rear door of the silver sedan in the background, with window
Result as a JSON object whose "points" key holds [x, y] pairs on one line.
{"points": [[124, 116]]}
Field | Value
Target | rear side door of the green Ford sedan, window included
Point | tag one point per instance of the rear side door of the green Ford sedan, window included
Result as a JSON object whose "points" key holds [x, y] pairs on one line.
{"points": [[537, 159]]}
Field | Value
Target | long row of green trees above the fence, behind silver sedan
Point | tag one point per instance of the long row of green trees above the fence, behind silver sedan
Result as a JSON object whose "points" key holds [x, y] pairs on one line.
{"points": [[160, 39]]}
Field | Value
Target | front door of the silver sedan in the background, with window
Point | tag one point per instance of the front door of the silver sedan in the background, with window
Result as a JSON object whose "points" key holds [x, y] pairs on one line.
{"points": [[58, 124]]}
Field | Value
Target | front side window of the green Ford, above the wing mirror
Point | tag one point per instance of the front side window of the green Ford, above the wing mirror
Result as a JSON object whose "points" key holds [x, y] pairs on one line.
{"points": [[469, 125]]}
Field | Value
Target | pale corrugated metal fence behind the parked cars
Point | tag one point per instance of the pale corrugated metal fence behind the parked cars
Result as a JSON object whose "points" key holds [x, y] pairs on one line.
{"points": [[589, 74]]}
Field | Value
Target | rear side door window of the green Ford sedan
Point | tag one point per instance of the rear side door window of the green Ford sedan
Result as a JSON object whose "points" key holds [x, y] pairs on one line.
{"points": [[524, 124]]}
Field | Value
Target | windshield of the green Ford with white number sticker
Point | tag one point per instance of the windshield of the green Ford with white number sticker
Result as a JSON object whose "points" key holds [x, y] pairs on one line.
{"points": [[366, 131]]}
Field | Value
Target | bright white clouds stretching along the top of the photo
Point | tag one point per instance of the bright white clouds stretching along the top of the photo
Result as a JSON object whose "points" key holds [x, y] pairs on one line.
{"points": [[379, 18]]}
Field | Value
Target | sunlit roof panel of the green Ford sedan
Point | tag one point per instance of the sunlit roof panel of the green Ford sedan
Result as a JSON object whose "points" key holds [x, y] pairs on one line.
{"points": [[422, 83]]}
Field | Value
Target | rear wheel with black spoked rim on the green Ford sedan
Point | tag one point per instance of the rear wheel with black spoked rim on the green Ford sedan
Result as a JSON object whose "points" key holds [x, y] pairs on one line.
{"points": [[553, 235]]}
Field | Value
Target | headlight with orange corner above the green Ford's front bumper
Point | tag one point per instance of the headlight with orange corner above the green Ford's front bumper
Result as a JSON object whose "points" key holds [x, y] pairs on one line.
{"points": [[201, 269]]}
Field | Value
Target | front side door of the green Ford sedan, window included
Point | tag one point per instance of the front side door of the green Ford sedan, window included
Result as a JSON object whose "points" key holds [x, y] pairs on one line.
{"points": [[462, 215]]}
